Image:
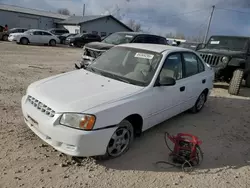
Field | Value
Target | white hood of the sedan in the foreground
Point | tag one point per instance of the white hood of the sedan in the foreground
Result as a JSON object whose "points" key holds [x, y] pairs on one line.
{"points": [[79, 90]]}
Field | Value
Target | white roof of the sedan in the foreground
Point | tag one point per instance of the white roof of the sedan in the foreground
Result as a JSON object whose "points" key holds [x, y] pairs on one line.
{"points": [[159, 48]]}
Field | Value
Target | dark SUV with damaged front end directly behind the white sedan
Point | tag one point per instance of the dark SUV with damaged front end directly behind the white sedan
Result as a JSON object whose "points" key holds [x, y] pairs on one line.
{"points": [[94, 49]]}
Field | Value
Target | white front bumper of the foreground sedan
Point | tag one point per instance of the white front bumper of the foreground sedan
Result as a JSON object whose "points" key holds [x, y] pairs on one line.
{"points": [[67, 140]]}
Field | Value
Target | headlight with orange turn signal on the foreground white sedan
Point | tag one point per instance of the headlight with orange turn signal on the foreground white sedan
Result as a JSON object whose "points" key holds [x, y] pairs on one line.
{"points": [[79, 121]]}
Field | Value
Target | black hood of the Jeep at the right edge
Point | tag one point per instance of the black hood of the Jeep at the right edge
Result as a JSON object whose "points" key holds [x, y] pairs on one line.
{"points": [[222, 52]]}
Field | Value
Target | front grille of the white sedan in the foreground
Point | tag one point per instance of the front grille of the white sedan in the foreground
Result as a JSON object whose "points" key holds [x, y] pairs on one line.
{"points": [[41, 107]]}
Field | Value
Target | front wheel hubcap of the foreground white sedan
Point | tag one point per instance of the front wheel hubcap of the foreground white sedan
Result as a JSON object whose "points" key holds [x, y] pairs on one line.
{"points": [[119, 142]]}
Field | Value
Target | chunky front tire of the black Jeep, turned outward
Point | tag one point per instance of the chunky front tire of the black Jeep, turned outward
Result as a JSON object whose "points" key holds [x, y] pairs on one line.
{"points": [[235, 83]]}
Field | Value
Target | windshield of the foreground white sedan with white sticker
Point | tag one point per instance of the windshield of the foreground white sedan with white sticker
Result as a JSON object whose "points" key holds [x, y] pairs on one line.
{"points": [[130, 65]]}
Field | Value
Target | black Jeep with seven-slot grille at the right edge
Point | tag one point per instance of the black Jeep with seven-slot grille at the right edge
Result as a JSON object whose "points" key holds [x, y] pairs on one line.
{"points": [[230, 58]]}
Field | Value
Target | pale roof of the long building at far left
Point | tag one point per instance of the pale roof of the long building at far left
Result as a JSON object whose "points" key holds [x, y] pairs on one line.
{"points": [[13, 8]]}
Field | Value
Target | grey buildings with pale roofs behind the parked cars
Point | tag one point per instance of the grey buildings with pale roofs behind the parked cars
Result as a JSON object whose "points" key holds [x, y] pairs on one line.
{"points": [[15, 16]]}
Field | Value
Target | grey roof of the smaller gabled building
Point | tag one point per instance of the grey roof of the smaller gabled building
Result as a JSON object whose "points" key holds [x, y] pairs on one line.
{"points": [[76, 20]]}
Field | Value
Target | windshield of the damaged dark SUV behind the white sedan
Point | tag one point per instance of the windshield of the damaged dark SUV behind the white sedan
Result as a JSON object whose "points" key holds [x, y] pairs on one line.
{"points": [[118, 38]]}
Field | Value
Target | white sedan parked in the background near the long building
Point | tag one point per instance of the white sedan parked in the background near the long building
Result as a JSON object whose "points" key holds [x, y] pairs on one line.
{"points": [[37, 37]]}
